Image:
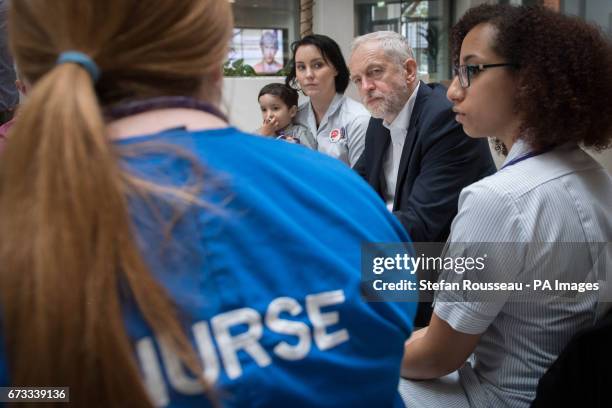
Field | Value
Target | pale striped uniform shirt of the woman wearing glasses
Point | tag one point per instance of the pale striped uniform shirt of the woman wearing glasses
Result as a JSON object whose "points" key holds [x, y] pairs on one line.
{"points": [[560, 196]]}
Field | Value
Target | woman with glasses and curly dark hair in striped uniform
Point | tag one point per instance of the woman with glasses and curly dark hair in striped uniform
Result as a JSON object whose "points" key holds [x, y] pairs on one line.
{"points": [[540, 83]]}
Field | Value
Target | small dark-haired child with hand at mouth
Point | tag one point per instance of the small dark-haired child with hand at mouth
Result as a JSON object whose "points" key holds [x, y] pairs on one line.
{"points": [[278, 105]]}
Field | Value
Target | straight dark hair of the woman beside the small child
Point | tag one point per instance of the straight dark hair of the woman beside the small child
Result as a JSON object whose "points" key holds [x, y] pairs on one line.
{"points": [[330, 50]]}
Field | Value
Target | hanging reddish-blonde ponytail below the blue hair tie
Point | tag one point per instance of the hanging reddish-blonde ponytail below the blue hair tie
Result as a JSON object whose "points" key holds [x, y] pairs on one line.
{"points": [[67, 244]]}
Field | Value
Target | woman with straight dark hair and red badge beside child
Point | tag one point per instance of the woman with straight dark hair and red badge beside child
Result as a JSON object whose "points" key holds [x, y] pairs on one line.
{"points": [[318, 68]]}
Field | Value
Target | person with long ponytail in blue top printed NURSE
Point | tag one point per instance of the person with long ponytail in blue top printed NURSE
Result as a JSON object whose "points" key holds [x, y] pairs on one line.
{"points": [[153, 255]]}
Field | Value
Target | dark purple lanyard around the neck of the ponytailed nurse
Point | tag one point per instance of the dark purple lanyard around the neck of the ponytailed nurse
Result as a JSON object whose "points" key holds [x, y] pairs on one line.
{"points": [[163, 102]]}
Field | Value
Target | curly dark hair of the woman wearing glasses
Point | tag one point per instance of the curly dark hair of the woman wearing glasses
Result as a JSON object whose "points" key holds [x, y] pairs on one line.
{"points": [[564, 73]]}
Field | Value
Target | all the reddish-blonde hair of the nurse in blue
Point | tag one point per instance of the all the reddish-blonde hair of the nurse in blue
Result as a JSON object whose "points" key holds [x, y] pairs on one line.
{"points": [[68, 255]]}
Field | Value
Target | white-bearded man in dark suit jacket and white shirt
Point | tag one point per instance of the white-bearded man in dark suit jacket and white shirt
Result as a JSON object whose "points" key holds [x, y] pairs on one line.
{"points": [[416, 156]]}
